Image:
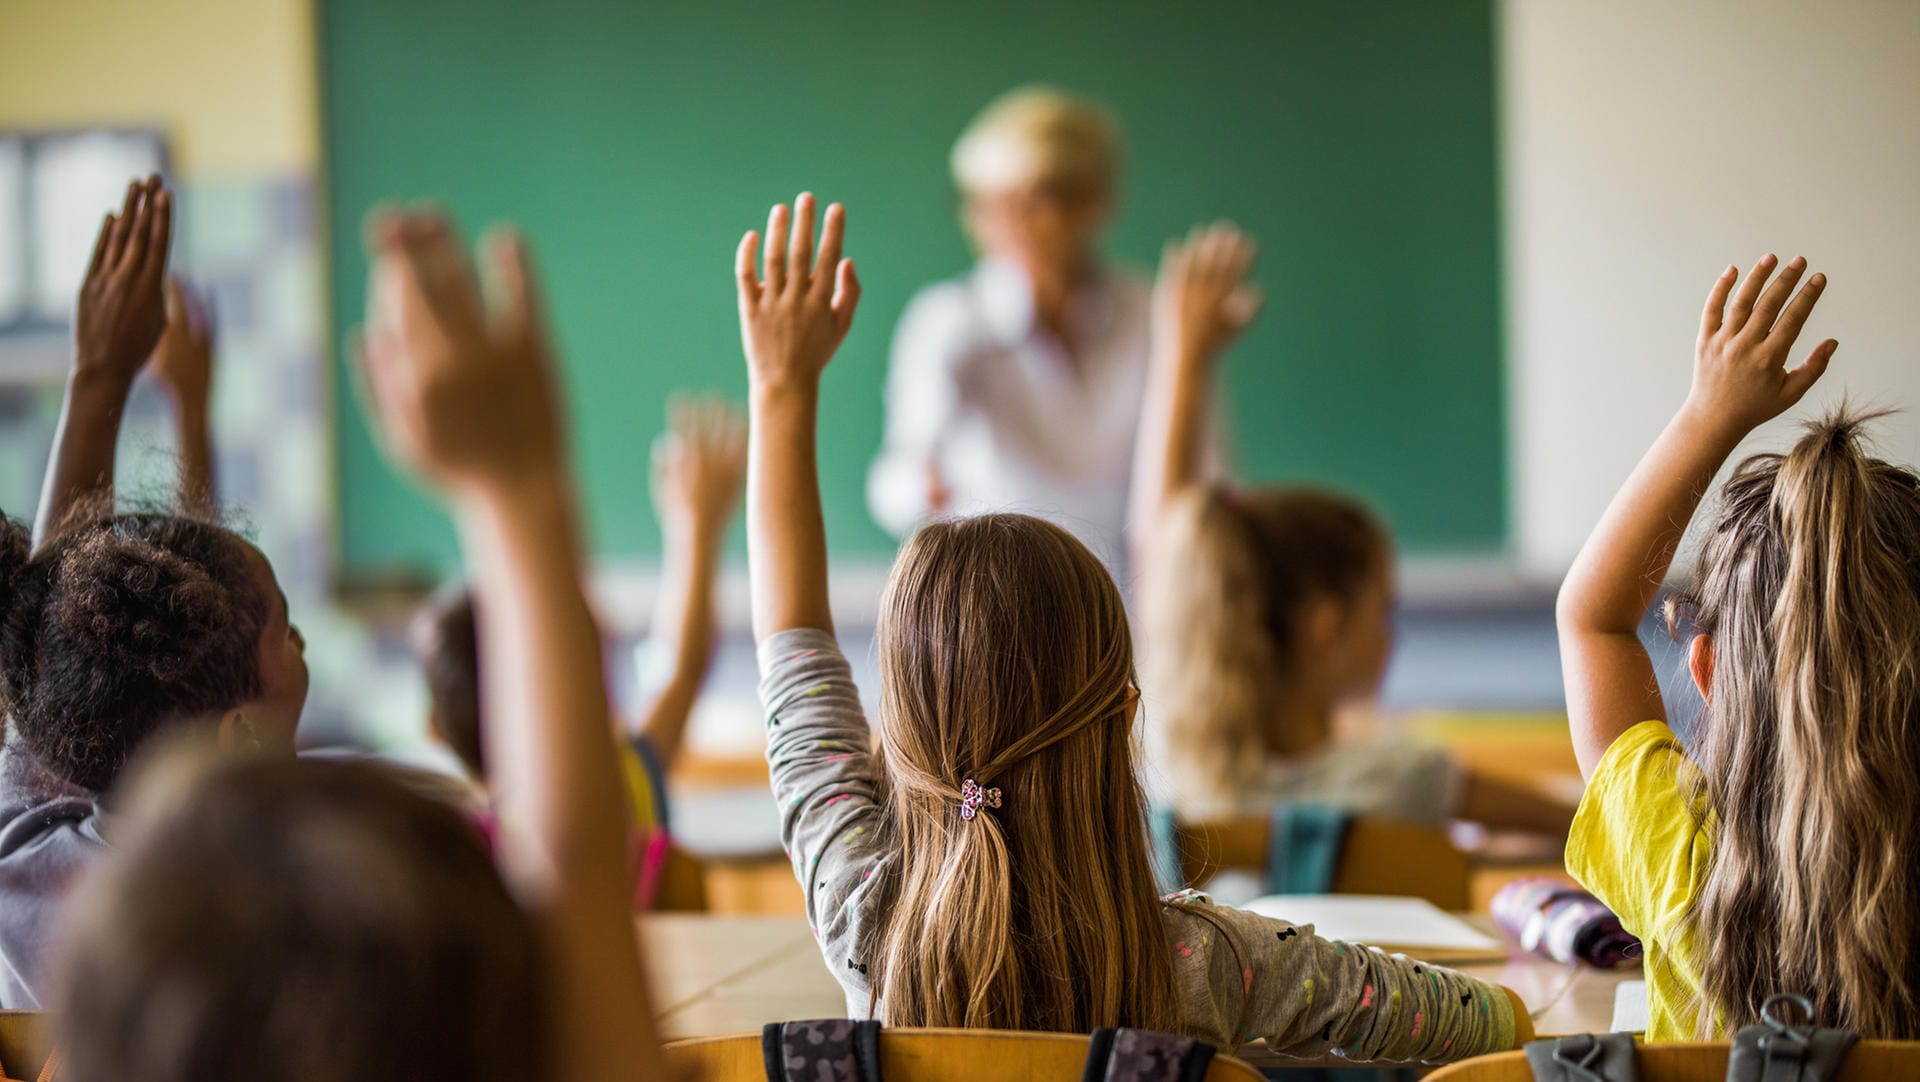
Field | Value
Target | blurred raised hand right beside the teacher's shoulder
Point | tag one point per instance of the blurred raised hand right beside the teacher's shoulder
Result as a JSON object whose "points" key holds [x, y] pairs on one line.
{"points": [[1201, 298]]}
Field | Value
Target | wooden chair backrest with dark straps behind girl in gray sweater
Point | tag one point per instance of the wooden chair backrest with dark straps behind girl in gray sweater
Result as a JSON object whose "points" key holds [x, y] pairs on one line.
{"points": [[928, 1056]]}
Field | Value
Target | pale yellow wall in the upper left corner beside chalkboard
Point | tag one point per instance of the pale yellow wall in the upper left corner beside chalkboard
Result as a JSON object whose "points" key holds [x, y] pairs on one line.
{"points": [[229, 82]]}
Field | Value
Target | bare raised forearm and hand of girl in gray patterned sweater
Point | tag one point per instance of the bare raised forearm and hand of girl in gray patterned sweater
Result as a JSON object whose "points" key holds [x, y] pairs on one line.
{"points": [[792, 319]]}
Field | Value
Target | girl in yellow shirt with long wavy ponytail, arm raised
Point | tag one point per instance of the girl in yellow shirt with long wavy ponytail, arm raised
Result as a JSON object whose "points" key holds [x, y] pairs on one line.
{"points": [[1779, 857]]}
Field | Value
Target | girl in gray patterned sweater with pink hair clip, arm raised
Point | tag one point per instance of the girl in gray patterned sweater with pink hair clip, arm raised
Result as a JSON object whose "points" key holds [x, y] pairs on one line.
{"points": [[986, 866]]}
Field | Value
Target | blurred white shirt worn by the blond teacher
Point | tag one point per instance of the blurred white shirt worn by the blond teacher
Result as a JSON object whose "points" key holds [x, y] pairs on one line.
{"points": [[1013, 419]]}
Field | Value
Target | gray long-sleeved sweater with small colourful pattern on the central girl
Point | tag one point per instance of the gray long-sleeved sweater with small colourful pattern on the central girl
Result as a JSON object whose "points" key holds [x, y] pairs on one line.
{"points": [[1239, 977]]}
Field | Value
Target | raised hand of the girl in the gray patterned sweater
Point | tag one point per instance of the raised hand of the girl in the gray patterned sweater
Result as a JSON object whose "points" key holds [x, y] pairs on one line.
{"points": [[796, 312]]}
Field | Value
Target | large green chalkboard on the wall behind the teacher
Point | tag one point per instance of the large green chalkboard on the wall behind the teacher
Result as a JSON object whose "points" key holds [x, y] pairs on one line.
{"points": [[636, 141]]}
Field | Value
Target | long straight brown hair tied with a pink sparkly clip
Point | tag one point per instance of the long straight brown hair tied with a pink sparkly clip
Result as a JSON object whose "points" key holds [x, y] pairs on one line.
{"points": [[1005, 659]]}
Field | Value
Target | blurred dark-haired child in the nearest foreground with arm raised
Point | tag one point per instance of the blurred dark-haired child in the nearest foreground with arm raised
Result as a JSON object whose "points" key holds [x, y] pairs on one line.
{"points": [[316, 922]]}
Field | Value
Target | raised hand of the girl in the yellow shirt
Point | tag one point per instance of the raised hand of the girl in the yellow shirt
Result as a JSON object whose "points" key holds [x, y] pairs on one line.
{"points": [[1740, 375]]}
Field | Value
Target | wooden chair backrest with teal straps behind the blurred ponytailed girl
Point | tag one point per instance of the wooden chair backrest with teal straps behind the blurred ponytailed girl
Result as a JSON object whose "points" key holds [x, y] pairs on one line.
{"points": [[1380, 857]]}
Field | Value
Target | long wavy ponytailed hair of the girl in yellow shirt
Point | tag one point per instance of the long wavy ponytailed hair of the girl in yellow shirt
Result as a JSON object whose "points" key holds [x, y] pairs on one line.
{"points": [[1810, 586]]}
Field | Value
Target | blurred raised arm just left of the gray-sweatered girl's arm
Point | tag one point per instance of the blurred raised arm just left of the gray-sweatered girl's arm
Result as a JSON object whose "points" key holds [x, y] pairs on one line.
{"points": [[698, 471]]}
